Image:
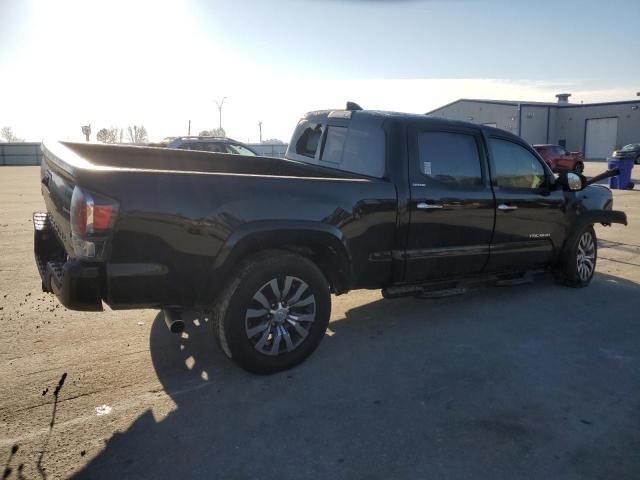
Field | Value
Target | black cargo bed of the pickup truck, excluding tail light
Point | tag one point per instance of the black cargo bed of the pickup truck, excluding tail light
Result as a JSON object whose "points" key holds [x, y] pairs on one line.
{"points": [[181, 212]]}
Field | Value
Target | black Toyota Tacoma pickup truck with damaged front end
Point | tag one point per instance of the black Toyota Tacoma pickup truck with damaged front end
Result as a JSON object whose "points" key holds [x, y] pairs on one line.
{"points": [[364, 199]]}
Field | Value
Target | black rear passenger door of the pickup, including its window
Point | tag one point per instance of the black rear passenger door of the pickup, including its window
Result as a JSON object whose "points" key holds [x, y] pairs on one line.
{"points": [[452, 207]]}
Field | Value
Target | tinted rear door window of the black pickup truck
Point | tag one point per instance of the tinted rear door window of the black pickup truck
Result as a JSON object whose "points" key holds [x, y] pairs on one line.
{"points": [[449, 158]]}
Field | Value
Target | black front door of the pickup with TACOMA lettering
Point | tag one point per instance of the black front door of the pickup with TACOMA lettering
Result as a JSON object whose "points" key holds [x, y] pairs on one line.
{"points": [[529, 213]]}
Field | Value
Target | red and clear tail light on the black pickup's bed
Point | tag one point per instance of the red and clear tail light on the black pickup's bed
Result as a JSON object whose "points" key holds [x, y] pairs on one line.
{"points": [[92, 217]]}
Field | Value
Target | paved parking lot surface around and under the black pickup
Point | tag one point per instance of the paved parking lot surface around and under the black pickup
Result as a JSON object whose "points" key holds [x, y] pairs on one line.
{"points": [[535, 381]]}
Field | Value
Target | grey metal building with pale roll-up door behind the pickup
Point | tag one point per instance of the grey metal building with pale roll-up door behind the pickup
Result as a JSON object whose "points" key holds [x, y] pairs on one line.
{"points": [[593, 128]]}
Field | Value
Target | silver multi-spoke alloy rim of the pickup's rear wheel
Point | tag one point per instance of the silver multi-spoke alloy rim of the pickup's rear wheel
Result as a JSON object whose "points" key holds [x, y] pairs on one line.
{"points": [[280, 315]]}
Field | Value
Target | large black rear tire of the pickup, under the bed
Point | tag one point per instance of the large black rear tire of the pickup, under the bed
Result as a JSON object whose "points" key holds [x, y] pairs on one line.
{"points": [[232, 318]]}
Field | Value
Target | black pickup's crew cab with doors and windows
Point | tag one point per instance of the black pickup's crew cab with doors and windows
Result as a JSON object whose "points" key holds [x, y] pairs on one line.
{"points": [[472, 199]]}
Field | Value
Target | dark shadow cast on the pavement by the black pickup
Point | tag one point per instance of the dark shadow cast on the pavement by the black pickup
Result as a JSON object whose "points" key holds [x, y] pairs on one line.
{"points": [[519, 382]]}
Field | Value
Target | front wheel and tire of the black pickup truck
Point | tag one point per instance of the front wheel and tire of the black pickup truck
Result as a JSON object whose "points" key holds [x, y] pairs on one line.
{"points": [[571, 270]]}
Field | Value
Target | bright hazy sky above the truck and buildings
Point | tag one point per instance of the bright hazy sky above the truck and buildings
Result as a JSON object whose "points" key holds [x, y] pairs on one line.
{"points": [[67, 63]]}
